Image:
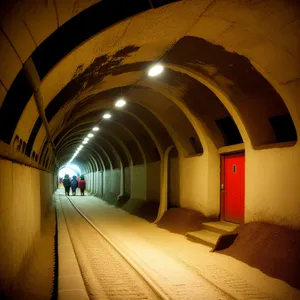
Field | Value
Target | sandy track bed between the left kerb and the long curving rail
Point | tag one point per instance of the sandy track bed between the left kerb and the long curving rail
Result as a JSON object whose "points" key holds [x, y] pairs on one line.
{"points": [[108, 273]]}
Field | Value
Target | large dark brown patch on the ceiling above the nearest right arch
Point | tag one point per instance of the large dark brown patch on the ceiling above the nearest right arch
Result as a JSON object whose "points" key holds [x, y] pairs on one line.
{"points": [[247, 88]]}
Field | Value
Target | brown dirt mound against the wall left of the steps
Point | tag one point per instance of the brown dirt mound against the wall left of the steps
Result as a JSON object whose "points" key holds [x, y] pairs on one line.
{"points": [[182, 220]]}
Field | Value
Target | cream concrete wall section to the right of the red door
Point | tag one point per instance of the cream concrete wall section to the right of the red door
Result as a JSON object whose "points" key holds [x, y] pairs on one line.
{"points": [[272, 186]]}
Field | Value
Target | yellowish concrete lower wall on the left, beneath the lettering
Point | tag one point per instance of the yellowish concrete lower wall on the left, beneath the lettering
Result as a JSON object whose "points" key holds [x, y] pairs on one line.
{"points": [[25, 195]]}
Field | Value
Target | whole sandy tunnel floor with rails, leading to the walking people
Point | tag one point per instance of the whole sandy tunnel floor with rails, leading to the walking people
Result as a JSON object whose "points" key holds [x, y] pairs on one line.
{"points": [[175, 267]]}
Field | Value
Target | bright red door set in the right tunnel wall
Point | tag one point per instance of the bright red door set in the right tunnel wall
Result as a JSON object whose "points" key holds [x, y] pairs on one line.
{"points": [[233, 187]]}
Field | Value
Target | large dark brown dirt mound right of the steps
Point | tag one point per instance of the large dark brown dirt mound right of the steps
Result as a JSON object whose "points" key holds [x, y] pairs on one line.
{"points": [[271, 248]]}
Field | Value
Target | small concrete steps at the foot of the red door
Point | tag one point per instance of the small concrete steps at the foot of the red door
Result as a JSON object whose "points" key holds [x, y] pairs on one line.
{"points": [[211, 232]]}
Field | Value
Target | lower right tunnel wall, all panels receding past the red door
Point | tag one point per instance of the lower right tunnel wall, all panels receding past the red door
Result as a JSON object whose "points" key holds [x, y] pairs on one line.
{"points": [[271, 184]]}
